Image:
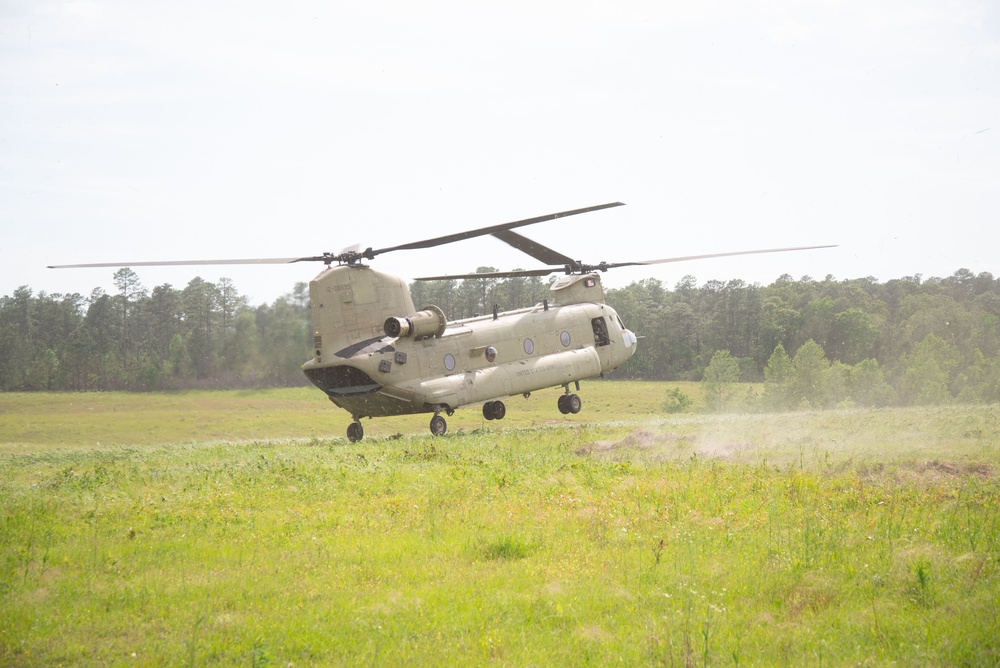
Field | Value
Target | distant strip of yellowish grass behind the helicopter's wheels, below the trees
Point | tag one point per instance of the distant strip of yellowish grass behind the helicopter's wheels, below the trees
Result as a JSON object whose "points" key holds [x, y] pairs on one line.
{"points": [[97, 419]]}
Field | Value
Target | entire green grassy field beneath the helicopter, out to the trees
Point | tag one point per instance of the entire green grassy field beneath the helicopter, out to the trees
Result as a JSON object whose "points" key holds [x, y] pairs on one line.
{"points": [[242, 528]]}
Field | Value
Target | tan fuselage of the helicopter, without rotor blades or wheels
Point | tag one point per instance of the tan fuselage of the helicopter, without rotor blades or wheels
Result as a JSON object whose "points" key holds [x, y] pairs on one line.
{"points": [[418, 362]]}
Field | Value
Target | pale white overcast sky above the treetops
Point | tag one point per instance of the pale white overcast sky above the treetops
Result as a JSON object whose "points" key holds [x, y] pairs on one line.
{"points": [[187, 130]]}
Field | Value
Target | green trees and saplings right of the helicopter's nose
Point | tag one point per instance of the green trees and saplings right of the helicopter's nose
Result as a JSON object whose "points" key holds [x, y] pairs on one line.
{"points": [[821, 343]]}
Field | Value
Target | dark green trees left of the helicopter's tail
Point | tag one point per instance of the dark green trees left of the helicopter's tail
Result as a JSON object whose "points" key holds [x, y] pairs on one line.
{"points": [[204, 335]]}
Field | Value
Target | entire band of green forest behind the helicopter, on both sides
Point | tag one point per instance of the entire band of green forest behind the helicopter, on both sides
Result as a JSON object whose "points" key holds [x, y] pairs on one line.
{"points": [[811, 342]]}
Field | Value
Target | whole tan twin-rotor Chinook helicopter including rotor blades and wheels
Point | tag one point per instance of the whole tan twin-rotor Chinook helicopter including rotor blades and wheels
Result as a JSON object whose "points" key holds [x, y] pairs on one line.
{"points": [[376, 355]]}
